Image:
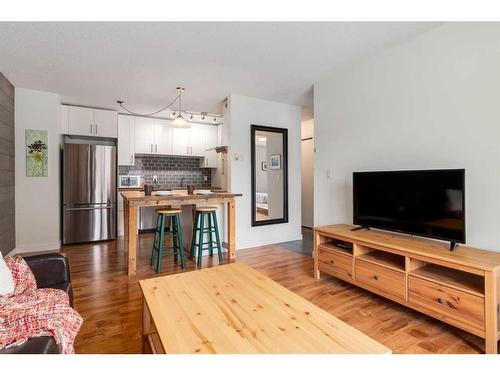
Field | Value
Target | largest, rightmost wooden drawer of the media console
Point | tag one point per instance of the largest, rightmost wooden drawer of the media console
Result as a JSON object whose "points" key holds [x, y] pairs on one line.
{"points": [[454, 303]]}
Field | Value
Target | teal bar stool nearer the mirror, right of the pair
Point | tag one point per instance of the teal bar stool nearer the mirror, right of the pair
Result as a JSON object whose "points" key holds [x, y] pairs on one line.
{"points": [[199, 230]]}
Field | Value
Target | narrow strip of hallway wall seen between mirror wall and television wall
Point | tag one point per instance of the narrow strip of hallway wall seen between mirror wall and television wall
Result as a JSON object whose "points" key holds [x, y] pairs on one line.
{"points": [[307, 145]]}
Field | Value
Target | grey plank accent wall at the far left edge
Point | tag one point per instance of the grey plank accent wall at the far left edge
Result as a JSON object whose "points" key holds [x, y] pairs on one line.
{"points": [[7, 148]]}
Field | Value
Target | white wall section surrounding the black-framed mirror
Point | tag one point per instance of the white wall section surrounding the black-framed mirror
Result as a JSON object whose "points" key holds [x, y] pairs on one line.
{"points": [[243, 112]]}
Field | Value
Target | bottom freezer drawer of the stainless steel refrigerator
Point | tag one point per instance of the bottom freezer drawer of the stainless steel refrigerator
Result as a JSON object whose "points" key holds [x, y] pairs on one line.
{"points": [[89, 223]]}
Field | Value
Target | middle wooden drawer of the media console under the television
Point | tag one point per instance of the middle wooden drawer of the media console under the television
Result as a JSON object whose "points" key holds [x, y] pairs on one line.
{"points": [[382, 278]]}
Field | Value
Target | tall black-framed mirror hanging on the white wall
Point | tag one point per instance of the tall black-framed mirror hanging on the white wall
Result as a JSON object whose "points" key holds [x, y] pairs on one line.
{"points": [[269, 152]]}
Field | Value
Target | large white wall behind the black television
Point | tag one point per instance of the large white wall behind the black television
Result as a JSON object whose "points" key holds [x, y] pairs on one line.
{"points": [[432, 102]]}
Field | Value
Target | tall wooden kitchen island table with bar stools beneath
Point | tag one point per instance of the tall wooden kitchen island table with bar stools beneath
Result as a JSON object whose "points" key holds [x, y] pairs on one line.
{"points": [[136, 199]]}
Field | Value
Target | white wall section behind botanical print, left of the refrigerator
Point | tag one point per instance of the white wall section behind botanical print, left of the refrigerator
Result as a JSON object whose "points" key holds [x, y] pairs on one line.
{"points": [[37, 198]]}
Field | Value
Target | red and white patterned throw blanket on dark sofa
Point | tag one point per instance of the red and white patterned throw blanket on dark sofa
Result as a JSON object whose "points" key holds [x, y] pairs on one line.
{"points": [[31, 312]]}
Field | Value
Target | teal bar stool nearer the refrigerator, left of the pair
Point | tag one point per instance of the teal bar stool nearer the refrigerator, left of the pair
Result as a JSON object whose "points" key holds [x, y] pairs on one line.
{"points": [[175, 232]]}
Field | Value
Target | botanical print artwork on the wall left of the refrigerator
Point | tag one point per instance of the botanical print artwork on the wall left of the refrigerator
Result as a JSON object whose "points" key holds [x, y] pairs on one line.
{"points": [[36, 153]]}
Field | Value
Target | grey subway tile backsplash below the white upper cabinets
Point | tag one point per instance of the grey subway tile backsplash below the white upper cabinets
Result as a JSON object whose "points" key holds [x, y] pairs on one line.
{"points": [[170, 170]]}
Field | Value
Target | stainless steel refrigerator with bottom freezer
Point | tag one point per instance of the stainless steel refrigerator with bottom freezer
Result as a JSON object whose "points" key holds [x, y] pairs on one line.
{"points": [[89, 191]]}
